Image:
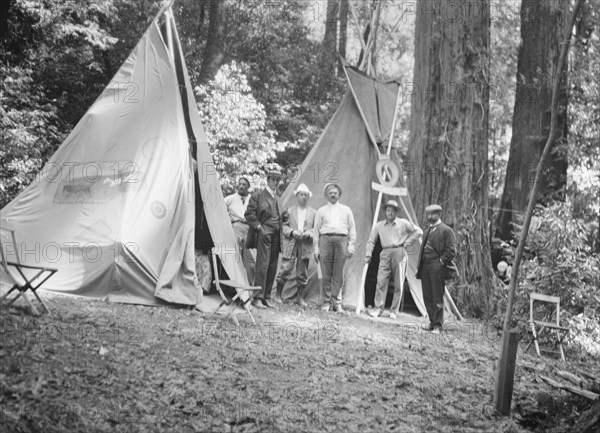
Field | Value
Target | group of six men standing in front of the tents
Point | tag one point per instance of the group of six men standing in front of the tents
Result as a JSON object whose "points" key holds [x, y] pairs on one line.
{"points": [[329, 235]]}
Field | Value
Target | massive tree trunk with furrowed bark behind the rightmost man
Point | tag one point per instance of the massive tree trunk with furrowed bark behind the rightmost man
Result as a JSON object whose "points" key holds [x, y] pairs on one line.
{"points": [[448, 144]]}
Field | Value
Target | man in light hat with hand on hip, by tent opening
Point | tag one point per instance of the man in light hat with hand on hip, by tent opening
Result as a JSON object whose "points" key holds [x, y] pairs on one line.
{"points": [[396, 235]]}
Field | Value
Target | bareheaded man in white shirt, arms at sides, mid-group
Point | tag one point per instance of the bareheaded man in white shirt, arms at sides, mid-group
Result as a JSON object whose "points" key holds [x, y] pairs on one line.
{"points": [[335, 239]]}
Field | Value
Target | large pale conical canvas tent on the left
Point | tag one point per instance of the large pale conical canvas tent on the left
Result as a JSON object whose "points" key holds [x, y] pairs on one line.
{"points": [[116, 209]]}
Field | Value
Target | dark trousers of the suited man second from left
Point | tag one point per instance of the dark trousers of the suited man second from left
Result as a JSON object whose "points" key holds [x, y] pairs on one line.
{"points": [[267, 255]]}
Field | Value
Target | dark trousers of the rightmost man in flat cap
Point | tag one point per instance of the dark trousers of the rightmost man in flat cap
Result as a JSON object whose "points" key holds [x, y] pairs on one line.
{"points": [[432, 281]]}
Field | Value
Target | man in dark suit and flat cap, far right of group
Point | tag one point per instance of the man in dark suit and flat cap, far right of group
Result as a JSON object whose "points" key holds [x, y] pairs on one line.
{"points": [[437, 250]]}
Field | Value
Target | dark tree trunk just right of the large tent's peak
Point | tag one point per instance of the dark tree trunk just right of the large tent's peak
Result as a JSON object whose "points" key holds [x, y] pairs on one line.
{"points": [[215, 43]]}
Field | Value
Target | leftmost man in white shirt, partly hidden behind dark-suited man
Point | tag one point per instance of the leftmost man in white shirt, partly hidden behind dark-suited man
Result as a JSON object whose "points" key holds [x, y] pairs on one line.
{"points": [[236, 206]]}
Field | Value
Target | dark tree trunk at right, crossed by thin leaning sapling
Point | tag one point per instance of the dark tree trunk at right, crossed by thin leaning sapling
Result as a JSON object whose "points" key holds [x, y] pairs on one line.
{"points": [[543, 25]]}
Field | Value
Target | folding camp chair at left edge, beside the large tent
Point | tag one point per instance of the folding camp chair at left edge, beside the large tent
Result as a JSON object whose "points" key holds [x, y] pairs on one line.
{"points": [[22, 277]]}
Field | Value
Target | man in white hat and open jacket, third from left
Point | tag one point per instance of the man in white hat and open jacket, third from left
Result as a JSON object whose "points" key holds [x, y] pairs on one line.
{"points": [[297, 244]]}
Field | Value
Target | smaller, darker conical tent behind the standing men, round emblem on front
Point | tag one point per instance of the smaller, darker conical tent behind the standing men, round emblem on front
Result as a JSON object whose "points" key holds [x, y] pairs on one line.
{"points": [[357, 137]]}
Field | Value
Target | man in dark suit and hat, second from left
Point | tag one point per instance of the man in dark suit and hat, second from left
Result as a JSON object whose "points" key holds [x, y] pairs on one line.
{"points": [[262, 214]]}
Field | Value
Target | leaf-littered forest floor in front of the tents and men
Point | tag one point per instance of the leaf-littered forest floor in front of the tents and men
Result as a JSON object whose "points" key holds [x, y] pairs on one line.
{"points": [[92, 366]]}
